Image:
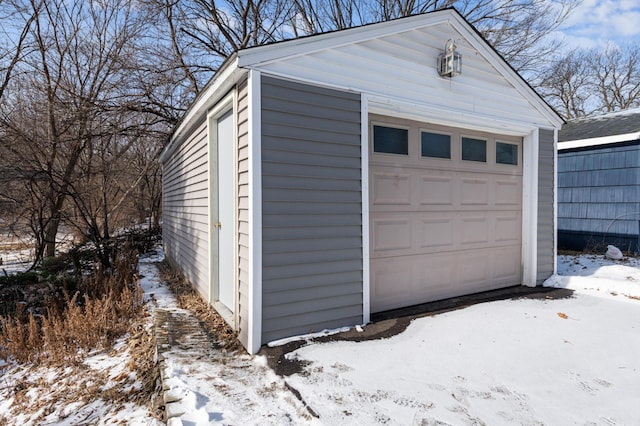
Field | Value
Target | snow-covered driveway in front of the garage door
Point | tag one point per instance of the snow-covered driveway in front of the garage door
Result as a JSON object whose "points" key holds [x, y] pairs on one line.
{"points": [[565, 361]]}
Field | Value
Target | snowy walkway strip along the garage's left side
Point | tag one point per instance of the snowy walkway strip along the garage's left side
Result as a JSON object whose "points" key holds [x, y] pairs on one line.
{"points": [[213, 386]]}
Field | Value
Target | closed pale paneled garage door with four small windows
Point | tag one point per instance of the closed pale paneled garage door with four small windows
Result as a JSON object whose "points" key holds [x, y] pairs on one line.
{"points": [[445, 212]]}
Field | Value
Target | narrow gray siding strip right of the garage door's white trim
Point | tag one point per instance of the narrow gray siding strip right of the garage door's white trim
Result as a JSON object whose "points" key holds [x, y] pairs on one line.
{"points": [[546, 232]]}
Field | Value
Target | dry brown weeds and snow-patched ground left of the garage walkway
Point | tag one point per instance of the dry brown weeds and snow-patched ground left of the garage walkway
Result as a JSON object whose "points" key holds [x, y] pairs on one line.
{"points": [[51, 348]]}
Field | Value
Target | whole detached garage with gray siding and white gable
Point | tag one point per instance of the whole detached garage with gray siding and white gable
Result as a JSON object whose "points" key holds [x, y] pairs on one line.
{"points": [[365, 179]]}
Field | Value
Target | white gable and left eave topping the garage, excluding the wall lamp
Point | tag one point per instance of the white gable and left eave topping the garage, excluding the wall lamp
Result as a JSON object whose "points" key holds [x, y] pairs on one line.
{"points": [[394, 61]]}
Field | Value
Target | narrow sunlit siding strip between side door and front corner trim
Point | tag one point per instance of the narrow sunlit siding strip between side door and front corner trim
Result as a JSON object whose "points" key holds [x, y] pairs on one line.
{"points": [[243, 213]]}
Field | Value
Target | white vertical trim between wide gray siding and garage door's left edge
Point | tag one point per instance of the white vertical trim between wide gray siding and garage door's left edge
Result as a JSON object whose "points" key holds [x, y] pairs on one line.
{"points": [[366, 271]]}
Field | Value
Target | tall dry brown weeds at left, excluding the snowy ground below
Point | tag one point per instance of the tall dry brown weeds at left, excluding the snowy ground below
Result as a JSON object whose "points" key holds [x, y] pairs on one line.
{"points": [[100, 311]]}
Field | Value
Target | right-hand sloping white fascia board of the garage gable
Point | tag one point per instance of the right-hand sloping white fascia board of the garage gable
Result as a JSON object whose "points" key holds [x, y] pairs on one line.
{"points": [[526, 91]]}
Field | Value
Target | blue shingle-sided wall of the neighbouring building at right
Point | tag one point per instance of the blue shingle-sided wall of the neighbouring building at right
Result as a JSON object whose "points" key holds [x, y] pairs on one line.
{"points": [[599, 191]]}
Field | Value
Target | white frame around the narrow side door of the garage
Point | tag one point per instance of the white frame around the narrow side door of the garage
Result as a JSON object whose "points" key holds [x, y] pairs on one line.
{"points": [[221, 109]]}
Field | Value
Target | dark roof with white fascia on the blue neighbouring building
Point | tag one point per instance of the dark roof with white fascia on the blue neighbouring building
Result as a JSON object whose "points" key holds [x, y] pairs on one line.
{"points": [[614, 127]]}
